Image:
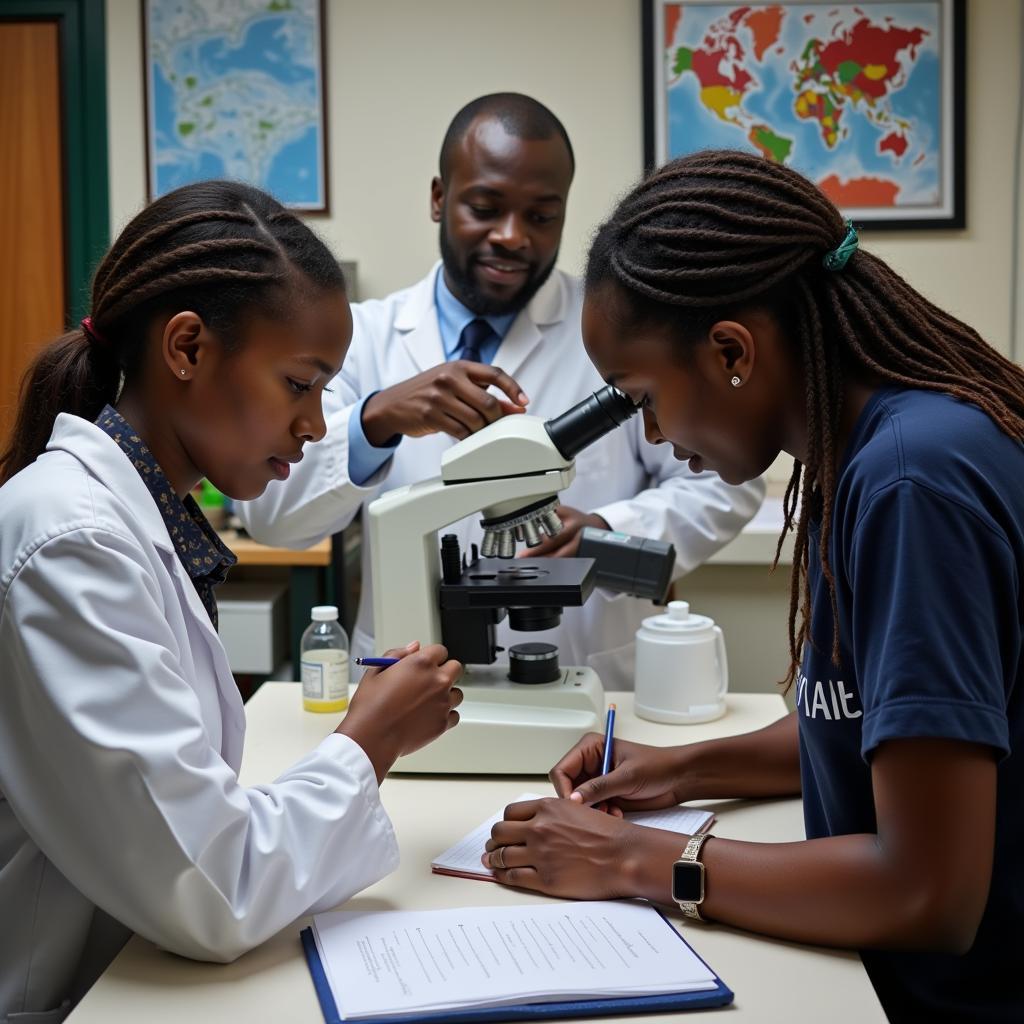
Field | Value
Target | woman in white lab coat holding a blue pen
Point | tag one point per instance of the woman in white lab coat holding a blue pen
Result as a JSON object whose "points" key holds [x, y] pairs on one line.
{"points": [[217, 320]]}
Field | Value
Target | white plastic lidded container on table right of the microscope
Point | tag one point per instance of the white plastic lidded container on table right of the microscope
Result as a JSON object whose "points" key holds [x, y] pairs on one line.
{"points": [[682, 675]]}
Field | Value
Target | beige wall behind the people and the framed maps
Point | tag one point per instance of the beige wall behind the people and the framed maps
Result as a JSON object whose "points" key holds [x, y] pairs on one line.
{"points": [[400, 69]]}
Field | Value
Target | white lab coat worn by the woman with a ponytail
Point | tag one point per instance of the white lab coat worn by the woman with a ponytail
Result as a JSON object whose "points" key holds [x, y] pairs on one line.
{"points": [[121, 733]]}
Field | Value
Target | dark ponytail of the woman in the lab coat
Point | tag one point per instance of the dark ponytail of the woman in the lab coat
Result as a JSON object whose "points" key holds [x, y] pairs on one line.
{"points": [[76, 374]]}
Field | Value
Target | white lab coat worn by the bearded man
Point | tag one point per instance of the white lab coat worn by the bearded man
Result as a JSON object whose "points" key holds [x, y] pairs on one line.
{"points": [[637, 488]]}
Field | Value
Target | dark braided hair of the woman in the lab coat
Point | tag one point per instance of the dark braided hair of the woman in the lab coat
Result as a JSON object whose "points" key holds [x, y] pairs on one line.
{"points": [[222, 249]]}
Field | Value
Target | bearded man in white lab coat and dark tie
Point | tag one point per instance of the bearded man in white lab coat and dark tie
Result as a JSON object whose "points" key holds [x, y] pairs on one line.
{"points": [[496, 314]]}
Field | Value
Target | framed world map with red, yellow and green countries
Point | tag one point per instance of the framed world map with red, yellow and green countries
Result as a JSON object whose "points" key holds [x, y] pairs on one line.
{"points": [[865, 99]]}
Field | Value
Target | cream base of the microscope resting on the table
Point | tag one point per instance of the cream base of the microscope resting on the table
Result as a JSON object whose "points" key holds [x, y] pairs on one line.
{"points": [[511, 729]]}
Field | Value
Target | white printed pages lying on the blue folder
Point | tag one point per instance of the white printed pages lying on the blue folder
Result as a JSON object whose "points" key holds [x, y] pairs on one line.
{"points": [[397, 963]]}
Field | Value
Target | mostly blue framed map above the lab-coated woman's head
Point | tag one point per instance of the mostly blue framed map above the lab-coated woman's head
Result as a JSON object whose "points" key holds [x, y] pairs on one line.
{"points": [[236, 91]]}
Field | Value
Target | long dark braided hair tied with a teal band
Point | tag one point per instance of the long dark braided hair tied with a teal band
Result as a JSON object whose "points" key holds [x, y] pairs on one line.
{"points": [[707, 236]]}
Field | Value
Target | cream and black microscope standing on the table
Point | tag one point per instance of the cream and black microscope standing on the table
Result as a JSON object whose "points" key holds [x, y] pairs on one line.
{"points": [[522, 717]]}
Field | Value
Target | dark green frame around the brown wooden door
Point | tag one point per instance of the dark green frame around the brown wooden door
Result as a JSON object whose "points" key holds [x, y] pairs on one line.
{"points": [[82, 30]]}
